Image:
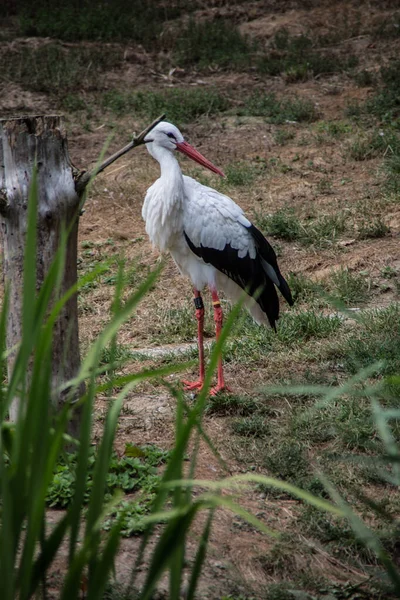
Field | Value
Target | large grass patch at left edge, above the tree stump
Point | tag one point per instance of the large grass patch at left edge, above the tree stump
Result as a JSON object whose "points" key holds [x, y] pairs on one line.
{"points": [[54, 69]]}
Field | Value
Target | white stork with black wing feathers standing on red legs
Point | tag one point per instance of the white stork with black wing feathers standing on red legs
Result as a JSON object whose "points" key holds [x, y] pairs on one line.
{"points": [[211, 241]]}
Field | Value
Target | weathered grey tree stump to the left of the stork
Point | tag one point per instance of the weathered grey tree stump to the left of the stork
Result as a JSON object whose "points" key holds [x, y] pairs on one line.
{"points": [[24, 141]]}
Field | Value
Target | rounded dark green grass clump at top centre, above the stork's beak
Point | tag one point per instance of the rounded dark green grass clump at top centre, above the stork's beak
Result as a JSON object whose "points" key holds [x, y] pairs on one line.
{"points": [[218, 42]]}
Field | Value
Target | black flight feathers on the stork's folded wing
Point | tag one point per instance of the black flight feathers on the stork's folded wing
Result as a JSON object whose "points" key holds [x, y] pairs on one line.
{"points": [[249, 273]]}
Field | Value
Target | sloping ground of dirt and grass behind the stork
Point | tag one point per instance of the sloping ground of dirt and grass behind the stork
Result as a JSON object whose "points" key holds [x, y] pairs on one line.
{"points": [[315, 162]]}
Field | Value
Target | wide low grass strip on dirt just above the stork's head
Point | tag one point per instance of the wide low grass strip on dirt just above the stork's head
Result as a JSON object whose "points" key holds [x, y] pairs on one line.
{"points": [[180, 106]]}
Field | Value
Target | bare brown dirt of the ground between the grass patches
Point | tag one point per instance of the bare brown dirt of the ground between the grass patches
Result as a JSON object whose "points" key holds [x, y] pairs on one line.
{"points": [[321, 179]]}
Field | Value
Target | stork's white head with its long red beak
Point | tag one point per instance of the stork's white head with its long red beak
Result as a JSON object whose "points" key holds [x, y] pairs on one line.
{"points": [[167, 136]]}
